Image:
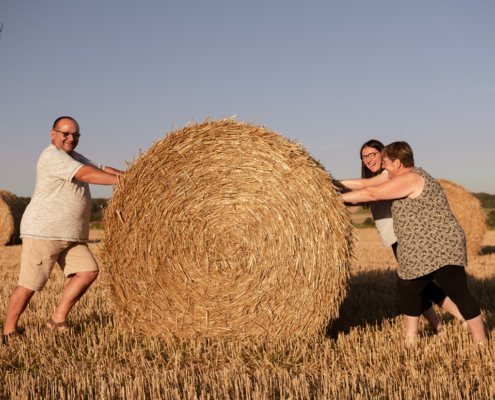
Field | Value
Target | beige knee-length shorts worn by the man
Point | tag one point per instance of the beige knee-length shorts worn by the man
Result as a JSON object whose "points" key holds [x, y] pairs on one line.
{"points": [[39, 257]]}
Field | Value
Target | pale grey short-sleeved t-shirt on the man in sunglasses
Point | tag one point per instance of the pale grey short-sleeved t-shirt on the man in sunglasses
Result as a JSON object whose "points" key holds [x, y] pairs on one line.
{"points": [[61, 205]]}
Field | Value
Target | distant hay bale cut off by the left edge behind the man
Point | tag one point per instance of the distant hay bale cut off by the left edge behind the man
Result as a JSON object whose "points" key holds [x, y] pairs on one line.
{"points": [[11, 210]]}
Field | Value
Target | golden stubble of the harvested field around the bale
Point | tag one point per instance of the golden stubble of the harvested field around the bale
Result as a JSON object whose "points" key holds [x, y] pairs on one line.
{"points": [[359, 358]]}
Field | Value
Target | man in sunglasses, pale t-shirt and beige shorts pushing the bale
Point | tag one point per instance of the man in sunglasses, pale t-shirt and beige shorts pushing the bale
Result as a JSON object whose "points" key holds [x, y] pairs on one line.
{"points": [[55, 227]]}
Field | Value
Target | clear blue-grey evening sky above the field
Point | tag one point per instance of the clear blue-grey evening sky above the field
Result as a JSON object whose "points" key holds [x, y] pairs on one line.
{"points": [[331, 74]]}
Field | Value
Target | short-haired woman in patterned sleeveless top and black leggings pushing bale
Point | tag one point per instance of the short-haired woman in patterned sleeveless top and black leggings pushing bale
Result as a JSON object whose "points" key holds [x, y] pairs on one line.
{"points": [[431, 243]]}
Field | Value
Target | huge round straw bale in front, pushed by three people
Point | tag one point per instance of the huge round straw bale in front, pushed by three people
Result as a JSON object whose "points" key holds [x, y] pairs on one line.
{"points": [[226, 228]]}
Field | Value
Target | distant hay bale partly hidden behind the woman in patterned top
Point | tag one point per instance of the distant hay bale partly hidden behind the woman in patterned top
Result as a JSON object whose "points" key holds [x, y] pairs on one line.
{"points": [[468, 211]]}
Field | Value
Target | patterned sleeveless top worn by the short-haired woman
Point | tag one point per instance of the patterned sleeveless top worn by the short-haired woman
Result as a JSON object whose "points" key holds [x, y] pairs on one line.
{"points": [[428, 235]]}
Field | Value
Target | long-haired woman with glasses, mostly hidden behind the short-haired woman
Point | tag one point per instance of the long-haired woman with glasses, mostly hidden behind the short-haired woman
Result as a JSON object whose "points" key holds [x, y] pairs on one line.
{"points": [[373, 174]]}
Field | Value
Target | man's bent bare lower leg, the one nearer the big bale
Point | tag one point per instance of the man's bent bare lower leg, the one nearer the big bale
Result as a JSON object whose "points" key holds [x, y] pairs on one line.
{"points": [[74, 290]]}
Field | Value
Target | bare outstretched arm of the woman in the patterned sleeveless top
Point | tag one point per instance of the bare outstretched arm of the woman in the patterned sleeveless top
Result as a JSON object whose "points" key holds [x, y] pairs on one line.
{"points": [[406, 185]]}
